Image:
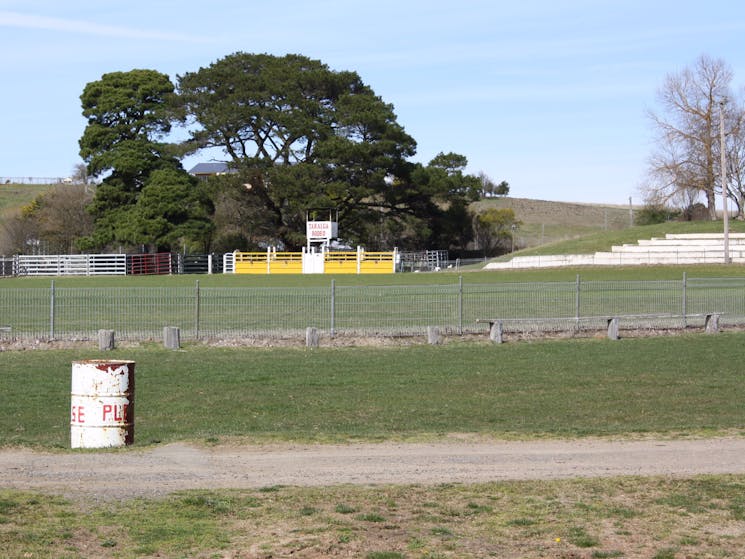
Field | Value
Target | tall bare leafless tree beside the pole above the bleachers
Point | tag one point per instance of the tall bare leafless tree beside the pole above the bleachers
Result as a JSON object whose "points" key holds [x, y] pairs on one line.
{"points": [[686, 158]]}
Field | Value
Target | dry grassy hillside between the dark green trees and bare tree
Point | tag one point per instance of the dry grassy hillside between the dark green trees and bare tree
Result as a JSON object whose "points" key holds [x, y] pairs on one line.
{"points": [[547, 222]]}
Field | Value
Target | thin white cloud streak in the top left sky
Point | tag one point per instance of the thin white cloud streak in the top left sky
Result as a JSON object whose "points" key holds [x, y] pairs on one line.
{"points": [[27, 21]]}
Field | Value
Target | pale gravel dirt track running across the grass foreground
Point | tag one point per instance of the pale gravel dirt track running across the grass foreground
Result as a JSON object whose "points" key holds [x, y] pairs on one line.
{"points": [[127, 473]]}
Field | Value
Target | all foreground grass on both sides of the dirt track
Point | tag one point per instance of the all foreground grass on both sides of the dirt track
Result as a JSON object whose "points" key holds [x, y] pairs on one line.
{"points": [[677, 386]]}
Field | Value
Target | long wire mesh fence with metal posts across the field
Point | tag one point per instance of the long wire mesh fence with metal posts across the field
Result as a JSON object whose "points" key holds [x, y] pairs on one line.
{"points": [[140, 313]]}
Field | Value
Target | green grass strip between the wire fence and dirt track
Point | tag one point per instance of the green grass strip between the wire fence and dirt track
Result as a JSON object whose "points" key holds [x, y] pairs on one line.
{"points": [[674, 385]]}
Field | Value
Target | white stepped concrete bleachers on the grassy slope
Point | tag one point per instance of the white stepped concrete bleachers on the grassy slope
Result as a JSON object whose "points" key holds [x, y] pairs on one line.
{"points": [[684, 248]]}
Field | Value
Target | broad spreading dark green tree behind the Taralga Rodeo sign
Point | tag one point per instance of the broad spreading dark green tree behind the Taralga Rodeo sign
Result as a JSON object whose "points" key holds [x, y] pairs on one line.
{"points": [[302, 136]]}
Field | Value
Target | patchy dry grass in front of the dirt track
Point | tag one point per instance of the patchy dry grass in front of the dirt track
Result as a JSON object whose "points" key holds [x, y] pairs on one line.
{"points": [[622, 517]]}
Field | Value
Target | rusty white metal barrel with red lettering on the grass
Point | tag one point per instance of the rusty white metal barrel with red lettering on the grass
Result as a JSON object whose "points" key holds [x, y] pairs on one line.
{"points": [[102, 403]]}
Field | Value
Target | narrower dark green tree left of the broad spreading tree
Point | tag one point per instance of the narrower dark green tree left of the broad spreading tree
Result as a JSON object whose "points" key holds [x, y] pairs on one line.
{"points": [[129, 116]]}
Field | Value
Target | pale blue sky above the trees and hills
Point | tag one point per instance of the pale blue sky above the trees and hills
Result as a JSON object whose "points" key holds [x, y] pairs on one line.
{"points": [[551, 96]]}
